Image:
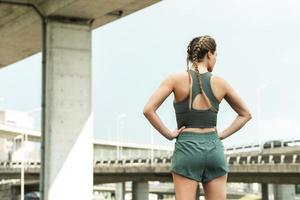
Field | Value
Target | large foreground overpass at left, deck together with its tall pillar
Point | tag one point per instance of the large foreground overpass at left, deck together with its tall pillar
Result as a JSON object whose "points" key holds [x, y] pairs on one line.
{"points": [[61, 30]]}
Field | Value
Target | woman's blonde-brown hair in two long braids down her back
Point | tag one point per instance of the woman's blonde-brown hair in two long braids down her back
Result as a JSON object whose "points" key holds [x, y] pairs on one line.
{"points": [[196, 50]]}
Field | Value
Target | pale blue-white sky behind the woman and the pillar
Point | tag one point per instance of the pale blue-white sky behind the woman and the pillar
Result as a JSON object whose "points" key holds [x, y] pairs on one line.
{"points": [[258, 43]]}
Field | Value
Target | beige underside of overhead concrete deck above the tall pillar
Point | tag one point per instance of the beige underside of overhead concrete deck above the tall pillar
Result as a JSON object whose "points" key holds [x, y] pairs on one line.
{"points": [[21, 25]]}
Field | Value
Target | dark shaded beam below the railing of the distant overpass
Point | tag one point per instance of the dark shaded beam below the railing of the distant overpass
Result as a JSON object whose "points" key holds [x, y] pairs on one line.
{"points": [[158, 175]]}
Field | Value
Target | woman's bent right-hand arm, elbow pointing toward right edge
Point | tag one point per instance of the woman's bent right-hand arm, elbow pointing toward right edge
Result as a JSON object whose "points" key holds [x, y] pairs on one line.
{"points": [[239, 106]]}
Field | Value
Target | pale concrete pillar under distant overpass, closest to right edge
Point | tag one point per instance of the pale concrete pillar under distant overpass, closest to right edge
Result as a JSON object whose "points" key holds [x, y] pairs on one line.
{"points": [[284, 191]]}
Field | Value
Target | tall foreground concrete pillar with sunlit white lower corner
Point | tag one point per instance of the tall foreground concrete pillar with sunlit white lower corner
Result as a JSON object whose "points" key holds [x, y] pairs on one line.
{"points": [[68, 141]]}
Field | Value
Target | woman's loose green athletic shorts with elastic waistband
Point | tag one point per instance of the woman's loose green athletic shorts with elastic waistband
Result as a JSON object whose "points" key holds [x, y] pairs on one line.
{"points": [[199, 156]]}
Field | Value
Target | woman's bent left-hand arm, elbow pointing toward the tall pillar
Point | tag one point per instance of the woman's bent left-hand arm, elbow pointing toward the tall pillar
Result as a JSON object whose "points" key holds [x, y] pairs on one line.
{"points": [[157, 98]]}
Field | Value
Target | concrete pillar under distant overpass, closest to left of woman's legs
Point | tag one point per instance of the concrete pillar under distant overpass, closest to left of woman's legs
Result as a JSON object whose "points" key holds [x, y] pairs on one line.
{"points": [[140, 190]]}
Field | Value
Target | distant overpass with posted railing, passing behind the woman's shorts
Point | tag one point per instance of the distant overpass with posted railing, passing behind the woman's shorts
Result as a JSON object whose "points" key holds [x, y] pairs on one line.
{"points": [[282, 173]]}
